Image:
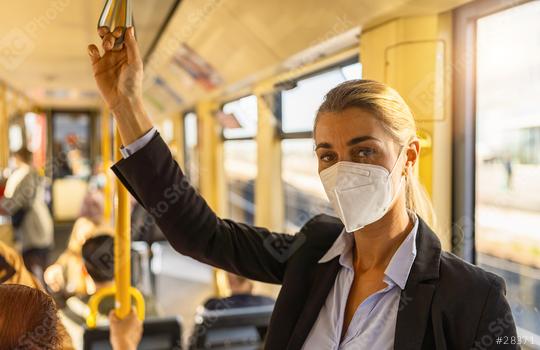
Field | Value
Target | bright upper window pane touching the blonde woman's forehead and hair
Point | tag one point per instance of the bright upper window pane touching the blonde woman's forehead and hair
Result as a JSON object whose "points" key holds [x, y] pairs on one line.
{"points": [[300, 104]]}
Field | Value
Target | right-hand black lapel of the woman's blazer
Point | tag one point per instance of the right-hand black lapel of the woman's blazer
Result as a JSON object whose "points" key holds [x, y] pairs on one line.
{"points": [[415, 302]]}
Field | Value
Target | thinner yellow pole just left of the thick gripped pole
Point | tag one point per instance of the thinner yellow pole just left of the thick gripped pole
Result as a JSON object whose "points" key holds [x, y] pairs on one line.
{"points": [[106, 163]]}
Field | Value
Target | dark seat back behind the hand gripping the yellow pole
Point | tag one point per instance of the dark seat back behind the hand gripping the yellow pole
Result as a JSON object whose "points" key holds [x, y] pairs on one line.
{"points": [[158, 334]]}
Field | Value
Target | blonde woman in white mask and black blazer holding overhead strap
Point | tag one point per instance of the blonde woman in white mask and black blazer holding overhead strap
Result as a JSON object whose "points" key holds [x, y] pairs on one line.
{"points": [[375, 278]]}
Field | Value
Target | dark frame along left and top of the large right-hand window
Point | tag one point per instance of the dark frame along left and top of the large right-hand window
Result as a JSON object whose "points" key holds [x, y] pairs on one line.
{"points": [[464, 121]]}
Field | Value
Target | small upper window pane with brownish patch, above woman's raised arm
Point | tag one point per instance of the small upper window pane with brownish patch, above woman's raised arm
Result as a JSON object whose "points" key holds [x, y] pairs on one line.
{"points": [[239, 118]]}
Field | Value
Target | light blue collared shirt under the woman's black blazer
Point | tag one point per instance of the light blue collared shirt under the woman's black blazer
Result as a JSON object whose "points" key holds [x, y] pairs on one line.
{"points": [[373, 325]]}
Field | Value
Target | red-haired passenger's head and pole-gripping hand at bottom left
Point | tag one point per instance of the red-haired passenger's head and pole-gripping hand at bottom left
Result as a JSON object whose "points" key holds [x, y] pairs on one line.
{"points": [[36, 325]]}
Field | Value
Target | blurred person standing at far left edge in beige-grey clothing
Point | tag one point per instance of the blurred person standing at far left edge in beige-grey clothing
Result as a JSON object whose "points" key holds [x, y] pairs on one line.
{"points": [[24, 202]]}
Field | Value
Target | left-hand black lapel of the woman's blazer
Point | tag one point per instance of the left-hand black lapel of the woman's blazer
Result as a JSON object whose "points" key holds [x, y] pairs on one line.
{"points": [[325, 276]]}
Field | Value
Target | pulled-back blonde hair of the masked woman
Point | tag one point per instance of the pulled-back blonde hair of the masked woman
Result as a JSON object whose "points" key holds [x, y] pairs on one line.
{"points": [[389, 108]]}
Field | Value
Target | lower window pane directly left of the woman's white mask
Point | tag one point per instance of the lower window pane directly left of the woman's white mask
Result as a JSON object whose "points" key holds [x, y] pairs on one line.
{"points": [[304, 194]]}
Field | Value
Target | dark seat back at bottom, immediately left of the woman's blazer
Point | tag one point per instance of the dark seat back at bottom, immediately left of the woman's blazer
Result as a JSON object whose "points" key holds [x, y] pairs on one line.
{"points": [[231, 329]]}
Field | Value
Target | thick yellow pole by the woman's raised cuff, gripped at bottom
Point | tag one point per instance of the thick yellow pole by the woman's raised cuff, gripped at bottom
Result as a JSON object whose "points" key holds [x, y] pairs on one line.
{"points": [[122, 245]]}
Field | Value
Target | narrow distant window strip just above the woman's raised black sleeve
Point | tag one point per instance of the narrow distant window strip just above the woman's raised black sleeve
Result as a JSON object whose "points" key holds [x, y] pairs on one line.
{"points": [[191, 153]]}
